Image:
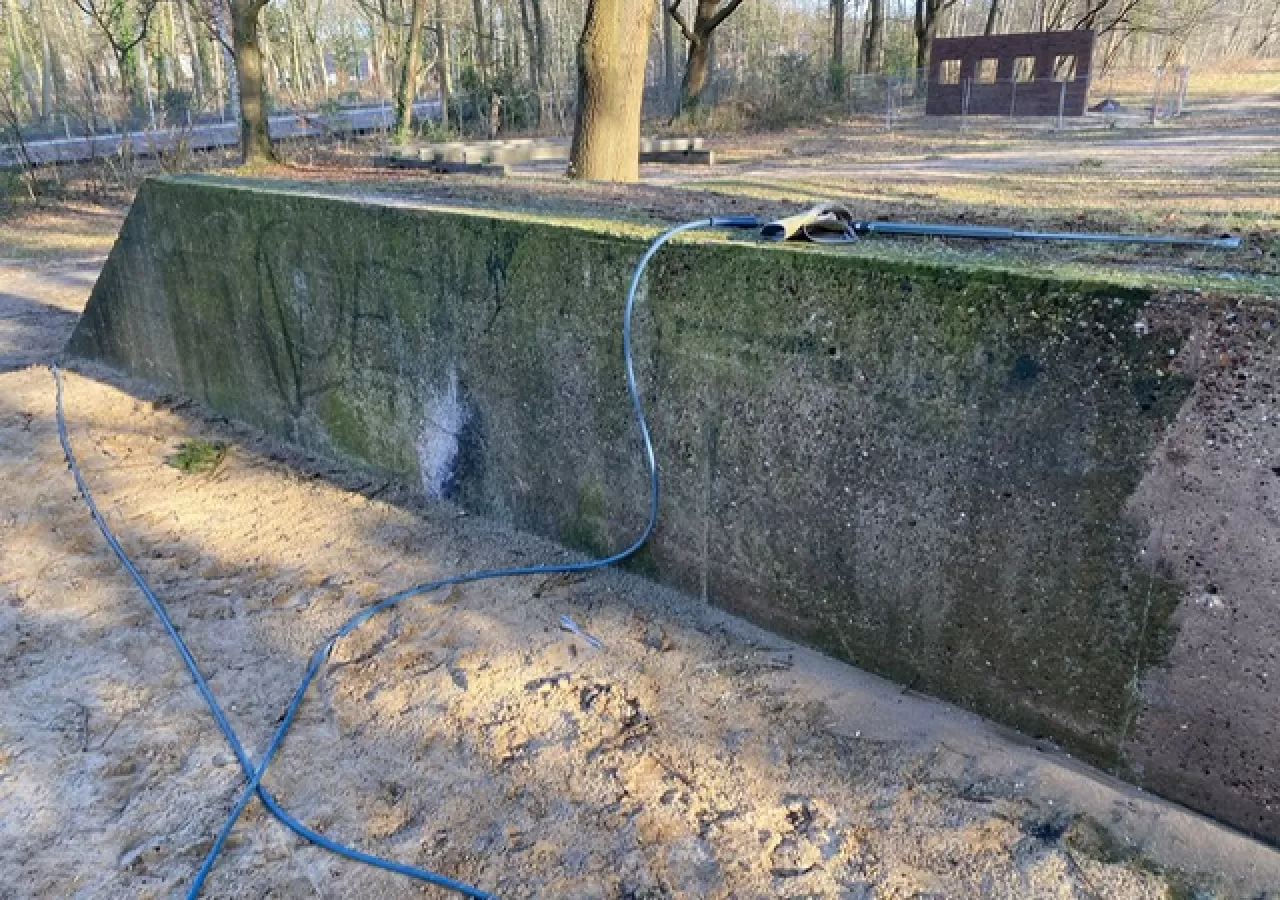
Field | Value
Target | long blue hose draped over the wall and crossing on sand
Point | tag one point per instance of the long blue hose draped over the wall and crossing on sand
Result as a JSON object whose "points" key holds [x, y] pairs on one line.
{"points": [[318, 660]]}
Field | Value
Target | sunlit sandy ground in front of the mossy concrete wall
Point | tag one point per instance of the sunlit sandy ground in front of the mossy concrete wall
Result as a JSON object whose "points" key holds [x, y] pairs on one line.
{"points": [[693, 757]]}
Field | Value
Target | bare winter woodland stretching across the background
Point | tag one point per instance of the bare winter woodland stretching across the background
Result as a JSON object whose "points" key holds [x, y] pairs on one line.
{"points": [[93, 66]]}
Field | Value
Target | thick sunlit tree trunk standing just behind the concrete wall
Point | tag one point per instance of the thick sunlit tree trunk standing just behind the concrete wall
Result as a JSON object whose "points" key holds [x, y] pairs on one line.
{"points": [[611, 62]]}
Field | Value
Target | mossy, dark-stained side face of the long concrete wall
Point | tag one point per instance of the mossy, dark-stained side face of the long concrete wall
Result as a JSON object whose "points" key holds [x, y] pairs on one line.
{"points": [[943, 477]]}
